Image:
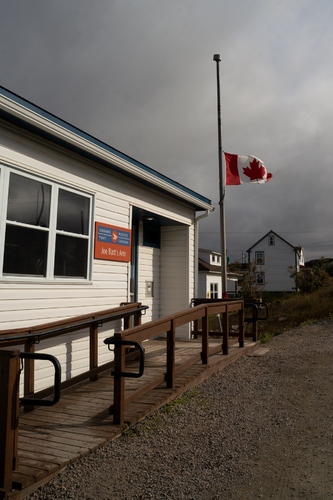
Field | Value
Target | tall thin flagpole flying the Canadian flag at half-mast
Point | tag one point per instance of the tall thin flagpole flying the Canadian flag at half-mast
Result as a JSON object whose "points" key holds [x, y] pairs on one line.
{"points": [[217, 58]]}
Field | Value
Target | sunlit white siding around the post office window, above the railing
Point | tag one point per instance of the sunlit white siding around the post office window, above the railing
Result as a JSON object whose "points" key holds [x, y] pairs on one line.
{"points": [[113, 196]]}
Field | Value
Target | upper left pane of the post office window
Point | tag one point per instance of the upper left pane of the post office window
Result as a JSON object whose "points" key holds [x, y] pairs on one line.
{"points": [[28, 201]]}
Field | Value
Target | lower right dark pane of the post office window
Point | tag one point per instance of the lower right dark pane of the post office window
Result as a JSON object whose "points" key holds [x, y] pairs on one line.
{"points": [[71, 256]]}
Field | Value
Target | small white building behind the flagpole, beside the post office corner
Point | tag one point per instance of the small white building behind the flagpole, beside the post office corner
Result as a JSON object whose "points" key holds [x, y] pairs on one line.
{"points": [[209, 281]]}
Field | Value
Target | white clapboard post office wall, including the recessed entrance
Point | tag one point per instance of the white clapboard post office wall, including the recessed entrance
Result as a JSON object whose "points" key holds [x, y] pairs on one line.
{"points": [[35, 301]]}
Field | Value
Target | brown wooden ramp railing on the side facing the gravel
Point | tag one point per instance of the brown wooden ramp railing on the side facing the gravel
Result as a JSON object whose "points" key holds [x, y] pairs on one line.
{"points": [[169, 325]]}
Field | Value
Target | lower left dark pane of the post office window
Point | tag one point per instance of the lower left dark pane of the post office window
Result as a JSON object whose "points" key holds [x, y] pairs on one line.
{"points": [[25, 251]]}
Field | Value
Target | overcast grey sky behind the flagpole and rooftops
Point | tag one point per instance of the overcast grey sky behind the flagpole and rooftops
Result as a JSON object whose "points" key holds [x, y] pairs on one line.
{"points": [[139, 75]]}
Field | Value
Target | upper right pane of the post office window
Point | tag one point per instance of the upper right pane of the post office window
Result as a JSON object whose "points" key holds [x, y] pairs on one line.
{"points": [[73, 213]]}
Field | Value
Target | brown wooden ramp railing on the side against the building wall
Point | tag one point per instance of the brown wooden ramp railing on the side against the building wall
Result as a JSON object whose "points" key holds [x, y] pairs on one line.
{"points": [[10, 373]]}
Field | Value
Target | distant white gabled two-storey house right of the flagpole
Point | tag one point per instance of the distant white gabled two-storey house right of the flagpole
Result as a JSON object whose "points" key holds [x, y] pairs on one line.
{"points": [[273, 255]]}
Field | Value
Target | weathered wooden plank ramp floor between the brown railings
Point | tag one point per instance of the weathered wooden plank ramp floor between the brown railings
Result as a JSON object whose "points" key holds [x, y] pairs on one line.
{"points": [[52, 437]]}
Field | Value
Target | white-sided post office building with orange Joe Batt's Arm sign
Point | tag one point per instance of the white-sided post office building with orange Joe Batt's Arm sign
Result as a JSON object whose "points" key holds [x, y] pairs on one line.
{"points": [[85, 227]]}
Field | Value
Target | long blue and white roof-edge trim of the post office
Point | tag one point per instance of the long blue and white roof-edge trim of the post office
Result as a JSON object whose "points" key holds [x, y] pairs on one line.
{"points": [[49, 116]]}
